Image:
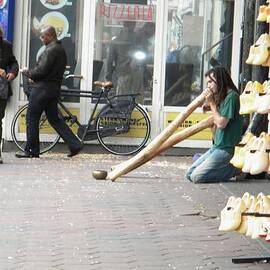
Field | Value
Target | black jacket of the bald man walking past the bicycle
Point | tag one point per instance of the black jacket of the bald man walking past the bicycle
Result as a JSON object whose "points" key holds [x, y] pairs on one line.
{"points": [[49, 70]]}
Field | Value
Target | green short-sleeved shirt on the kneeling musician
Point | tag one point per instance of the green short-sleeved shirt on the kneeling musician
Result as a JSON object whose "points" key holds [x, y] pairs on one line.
{"points": [[226, 138]]}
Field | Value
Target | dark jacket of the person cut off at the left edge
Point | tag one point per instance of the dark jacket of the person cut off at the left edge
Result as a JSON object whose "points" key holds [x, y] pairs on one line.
{"points": [[8, 61]]}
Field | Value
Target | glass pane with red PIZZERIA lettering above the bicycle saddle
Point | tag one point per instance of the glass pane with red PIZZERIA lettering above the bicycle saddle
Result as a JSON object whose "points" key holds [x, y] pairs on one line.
{"points": [[124, 46]]}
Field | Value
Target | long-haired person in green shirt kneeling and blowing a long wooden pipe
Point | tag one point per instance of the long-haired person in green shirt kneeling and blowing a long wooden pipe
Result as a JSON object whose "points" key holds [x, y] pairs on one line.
{"points": [[223, 100]]}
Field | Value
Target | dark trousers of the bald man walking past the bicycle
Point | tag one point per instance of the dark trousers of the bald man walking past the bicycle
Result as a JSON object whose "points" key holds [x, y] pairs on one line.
{"points": [[40, 100]]}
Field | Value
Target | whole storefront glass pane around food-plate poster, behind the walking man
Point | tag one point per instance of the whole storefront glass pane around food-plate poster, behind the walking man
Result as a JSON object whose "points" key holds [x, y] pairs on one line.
{"points": [[66, 17]]}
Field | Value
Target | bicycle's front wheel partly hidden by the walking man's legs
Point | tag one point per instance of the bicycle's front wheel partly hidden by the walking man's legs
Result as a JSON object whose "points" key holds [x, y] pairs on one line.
{"points": [[47, 135]]}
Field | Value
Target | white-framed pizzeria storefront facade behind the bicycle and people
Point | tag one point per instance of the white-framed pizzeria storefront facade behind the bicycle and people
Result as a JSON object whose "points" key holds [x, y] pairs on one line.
{"points": [[164, 44]]}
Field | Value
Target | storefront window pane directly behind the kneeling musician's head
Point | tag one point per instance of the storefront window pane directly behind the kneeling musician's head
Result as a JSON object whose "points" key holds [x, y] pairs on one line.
{"points": [[193, 27]]}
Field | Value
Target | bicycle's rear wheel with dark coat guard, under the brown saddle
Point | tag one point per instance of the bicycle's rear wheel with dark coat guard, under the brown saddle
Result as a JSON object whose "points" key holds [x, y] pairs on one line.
{"points": [[123, 134]]}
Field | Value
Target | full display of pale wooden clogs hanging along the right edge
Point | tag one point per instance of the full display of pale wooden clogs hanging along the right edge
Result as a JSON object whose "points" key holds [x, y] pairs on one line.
{"points": [[250, 215]]}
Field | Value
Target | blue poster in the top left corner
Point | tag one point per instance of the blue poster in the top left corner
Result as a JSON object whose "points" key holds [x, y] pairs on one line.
{"points": [[7, 17]]}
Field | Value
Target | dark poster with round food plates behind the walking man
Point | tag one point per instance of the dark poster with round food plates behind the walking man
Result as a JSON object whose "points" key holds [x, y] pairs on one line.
{"points": [[61, 15]]}
